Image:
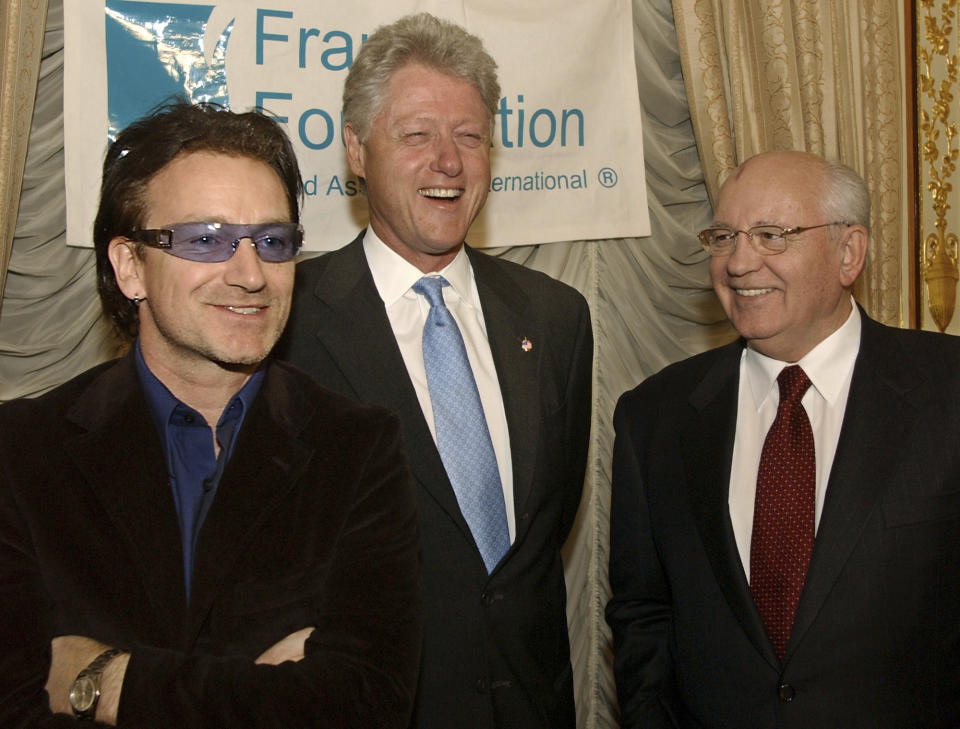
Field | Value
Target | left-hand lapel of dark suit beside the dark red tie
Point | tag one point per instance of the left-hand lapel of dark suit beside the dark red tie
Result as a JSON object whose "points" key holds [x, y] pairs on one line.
{"points": [[707, 449]]}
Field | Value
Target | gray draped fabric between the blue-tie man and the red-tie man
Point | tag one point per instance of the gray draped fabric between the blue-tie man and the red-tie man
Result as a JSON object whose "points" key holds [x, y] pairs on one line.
{"points": [[652, 304]]}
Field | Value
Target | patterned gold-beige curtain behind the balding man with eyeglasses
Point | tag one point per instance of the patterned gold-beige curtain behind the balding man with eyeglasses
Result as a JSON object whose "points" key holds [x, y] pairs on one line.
{"points": [[811, 75]]}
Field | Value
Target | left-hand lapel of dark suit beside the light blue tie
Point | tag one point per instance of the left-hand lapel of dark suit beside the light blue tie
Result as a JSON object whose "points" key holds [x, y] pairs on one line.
{"points": [[367, 355]]}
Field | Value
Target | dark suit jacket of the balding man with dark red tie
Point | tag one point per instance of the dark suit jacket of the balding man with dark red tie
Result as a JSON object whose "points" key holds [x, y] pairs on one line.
{"points": [[876, 637]]}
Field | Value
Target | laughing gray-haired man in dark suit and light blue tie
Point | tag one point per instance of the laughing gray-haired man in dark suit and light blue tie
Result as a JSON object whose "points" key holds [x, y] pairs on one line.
{"points": [[419, 104]]}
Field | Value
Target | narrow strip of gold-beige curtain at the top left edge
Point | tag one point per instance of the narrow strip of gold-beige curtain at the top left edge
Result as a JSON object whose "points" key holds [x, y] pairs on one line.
{"points": [[21, 41]]}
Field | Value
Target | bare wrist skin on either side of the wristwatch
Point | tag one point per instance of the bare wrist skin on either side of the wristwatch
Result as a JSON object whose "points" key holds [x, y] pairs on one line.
{"points": [[70, 654]]}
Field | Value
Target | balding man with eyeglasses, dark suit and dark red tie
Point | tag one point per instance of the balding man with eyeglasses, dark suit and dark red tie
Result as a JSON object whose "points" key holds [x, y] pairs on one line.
{"points": [[785, 519]]}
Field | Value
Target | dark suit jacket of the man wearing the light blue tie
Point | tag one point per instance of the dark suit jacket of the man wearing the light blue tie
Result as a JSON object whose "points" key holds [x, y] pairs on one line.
{"points": [[495, 650]]}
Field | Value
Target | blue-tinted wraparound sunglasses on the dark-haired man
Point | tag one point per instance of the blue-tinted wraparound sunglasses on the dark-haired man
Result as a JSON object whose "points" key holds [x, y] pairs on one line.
{"points": [[216, 242]]}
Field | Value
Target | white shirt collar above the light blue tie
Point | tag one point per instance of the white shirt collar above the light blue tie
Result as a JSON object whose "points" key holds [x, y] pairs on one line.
{"points": [[393, 275]]}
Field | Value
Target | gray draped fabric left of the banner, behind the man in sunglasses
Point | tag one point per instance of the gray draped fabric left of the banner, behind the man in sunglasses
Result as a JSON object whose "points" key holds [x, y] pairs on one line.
{"points": [[51, 324]]}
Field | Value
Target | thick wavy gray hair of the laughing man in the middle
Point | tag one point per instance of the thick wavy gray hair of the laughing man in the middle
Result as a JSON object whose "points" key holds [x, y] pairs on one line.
{"points": [[422, 38]]}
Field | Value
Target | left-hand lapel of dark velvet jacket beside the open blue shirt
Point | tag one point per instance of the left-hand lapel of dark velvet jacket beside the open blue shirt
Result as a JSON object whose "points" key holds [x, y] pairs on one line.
{"points": [[121, 459]]}
